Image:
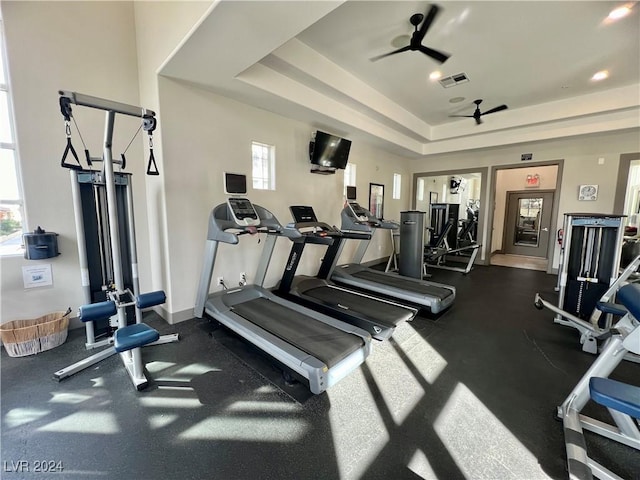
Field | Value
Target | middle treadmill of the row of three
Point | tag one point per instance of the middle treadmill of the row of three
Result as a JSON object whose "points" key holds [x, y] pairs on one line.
{"points": [[377, 316]]}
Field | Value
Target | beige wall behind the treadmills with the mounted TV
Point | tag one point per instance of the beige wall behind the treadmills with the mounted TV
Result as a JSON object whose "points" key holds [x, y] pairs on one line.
{"points": [[204, 135]]}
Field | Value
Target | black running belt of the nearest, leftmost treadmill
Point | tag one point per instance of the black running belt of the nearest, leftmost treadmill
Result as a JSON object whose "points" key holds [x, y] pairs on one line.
{"points": [[326, 343]]}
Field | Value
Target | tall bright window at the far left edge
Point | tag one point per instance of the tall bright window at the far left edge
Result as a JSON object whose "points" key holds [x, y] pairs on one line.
{"points": [[11, 205]]}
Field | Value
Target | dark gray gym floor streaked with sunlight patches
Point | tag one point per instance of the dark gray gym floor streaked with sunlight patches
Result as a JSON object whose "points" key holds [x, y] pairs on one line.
{"points": [[470, 394]]}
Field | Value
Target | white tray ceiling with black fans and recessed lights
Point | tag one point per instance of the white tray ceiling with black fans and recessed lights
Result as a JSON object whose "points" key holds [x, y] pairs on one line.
{"points": [[310, 60]]}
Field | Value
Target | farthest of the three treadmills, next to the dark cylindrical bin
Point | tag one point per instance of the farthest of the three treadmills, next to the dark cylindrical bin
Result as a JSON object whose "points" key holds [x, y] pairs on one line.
{"points": [[432, 296]]}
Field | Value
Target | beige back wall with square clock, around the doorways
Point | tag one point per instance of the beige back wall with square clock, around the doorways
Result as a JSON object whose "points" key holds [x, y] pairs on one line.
{"points": [[581, 166]]}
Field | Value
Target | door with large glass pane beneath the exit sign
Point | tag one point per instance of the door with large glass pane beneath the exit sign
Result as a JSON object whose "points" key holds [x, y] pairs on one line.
{"points": [[528, 223]]}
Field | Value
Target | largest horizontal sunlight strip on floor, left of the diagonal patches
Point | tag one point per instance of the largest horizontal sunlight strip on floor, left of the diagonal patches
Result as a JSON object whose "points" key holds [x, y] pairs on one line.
{"points": [[247, 429]]}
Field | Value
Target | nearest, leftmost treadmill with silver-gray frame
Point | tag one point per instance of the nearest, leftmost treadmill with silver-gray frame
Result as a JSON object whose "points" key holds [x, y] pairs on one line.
{"points": [[320, 349]]}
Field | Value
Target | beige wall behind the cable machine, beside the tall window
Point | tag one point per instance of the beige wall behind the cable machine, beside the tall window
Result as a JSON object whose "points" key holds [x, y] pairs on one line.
{"points": [[84, 47]]}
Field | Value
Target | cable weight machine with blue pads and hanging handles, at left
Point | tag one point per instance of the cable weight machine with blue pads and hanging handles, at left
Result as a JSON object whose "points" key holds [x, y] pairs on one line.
{"points": [[103, 207]]}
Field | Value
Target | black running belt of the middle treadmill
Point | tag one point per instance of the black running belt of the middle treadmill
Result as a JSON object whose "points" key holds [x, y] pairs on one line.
{"points": [[382, 313]]}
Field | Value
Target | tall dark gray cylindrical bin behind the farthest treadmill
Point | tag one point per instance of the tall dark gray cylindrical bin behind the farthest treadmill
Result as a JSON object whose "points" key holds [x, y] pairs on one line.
{"points": [[411, 243]]}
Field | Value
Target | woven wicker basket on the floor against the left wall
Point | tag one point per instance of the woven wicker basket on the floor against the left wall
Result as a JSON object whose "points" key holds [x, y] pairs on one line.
{"points": [[28, 337]]}
